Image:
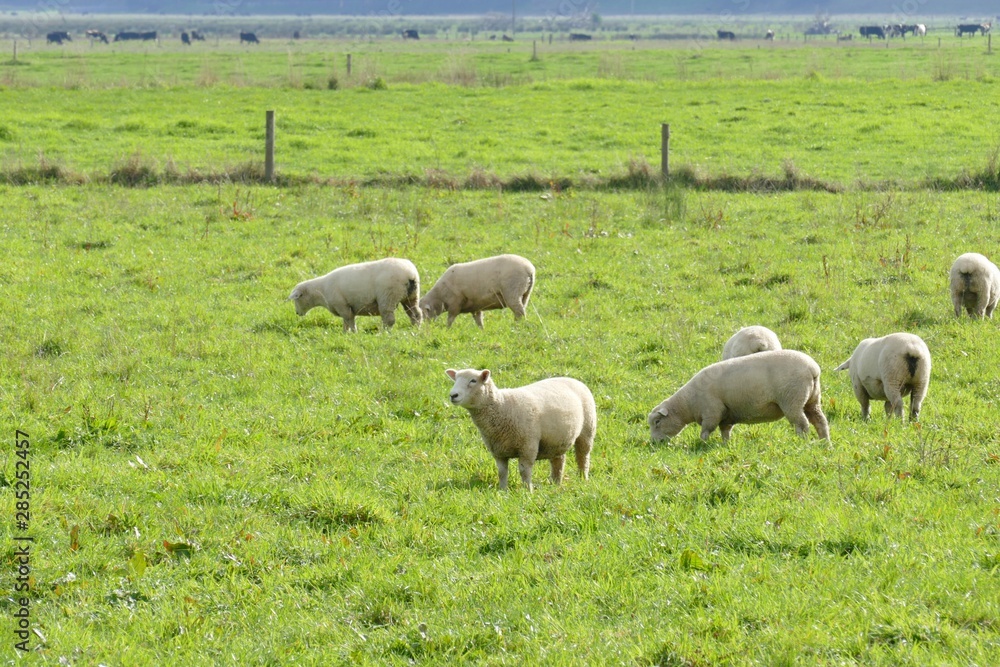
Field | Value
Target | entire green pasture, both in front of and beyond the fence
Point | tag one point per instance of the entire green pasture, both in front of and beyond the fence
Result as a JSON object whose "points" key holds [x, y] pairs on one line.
{"points": [[215, 480]]}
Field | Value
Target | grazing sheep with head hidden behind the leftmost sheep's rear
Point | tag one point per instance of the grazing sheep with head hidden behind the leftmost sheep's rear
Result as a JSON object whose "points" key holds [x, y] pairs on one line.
{"points": [[504, 281]]}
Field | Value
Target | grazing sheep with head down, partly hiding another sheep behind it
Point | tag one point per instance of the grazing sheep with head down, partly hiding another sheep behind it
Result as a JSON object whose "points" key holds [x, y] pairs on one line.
{"points": [[756, 388]]}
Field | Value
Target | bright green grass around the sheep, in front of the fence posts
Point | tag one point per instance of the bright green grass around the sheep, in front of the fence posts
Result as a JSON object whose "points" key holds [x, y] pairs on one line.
{"points": [[331, 507]]}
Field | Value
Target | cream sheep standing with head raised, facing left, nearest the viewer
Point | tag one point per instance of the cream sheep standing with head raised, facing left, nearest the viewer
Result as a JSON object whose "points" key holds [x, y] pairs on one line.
{"points": [[538, 421]]}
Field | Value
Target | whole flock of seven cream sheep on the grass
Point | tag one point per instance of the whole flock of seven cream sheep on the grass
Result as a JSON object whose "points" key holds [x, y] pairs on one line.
{"points": [[756, 381]]}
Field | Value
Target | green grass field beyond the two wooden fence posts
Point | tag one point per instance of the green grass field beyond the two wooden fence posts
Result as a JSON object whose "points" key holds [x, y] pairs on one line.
{"points": [[904, 116]]}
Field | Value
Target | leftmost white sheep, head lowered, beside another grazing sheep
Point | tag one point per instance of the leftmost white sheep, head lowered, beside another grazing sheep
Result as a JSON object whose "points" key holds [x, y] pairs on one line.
{"points": [[368, 288]]}
